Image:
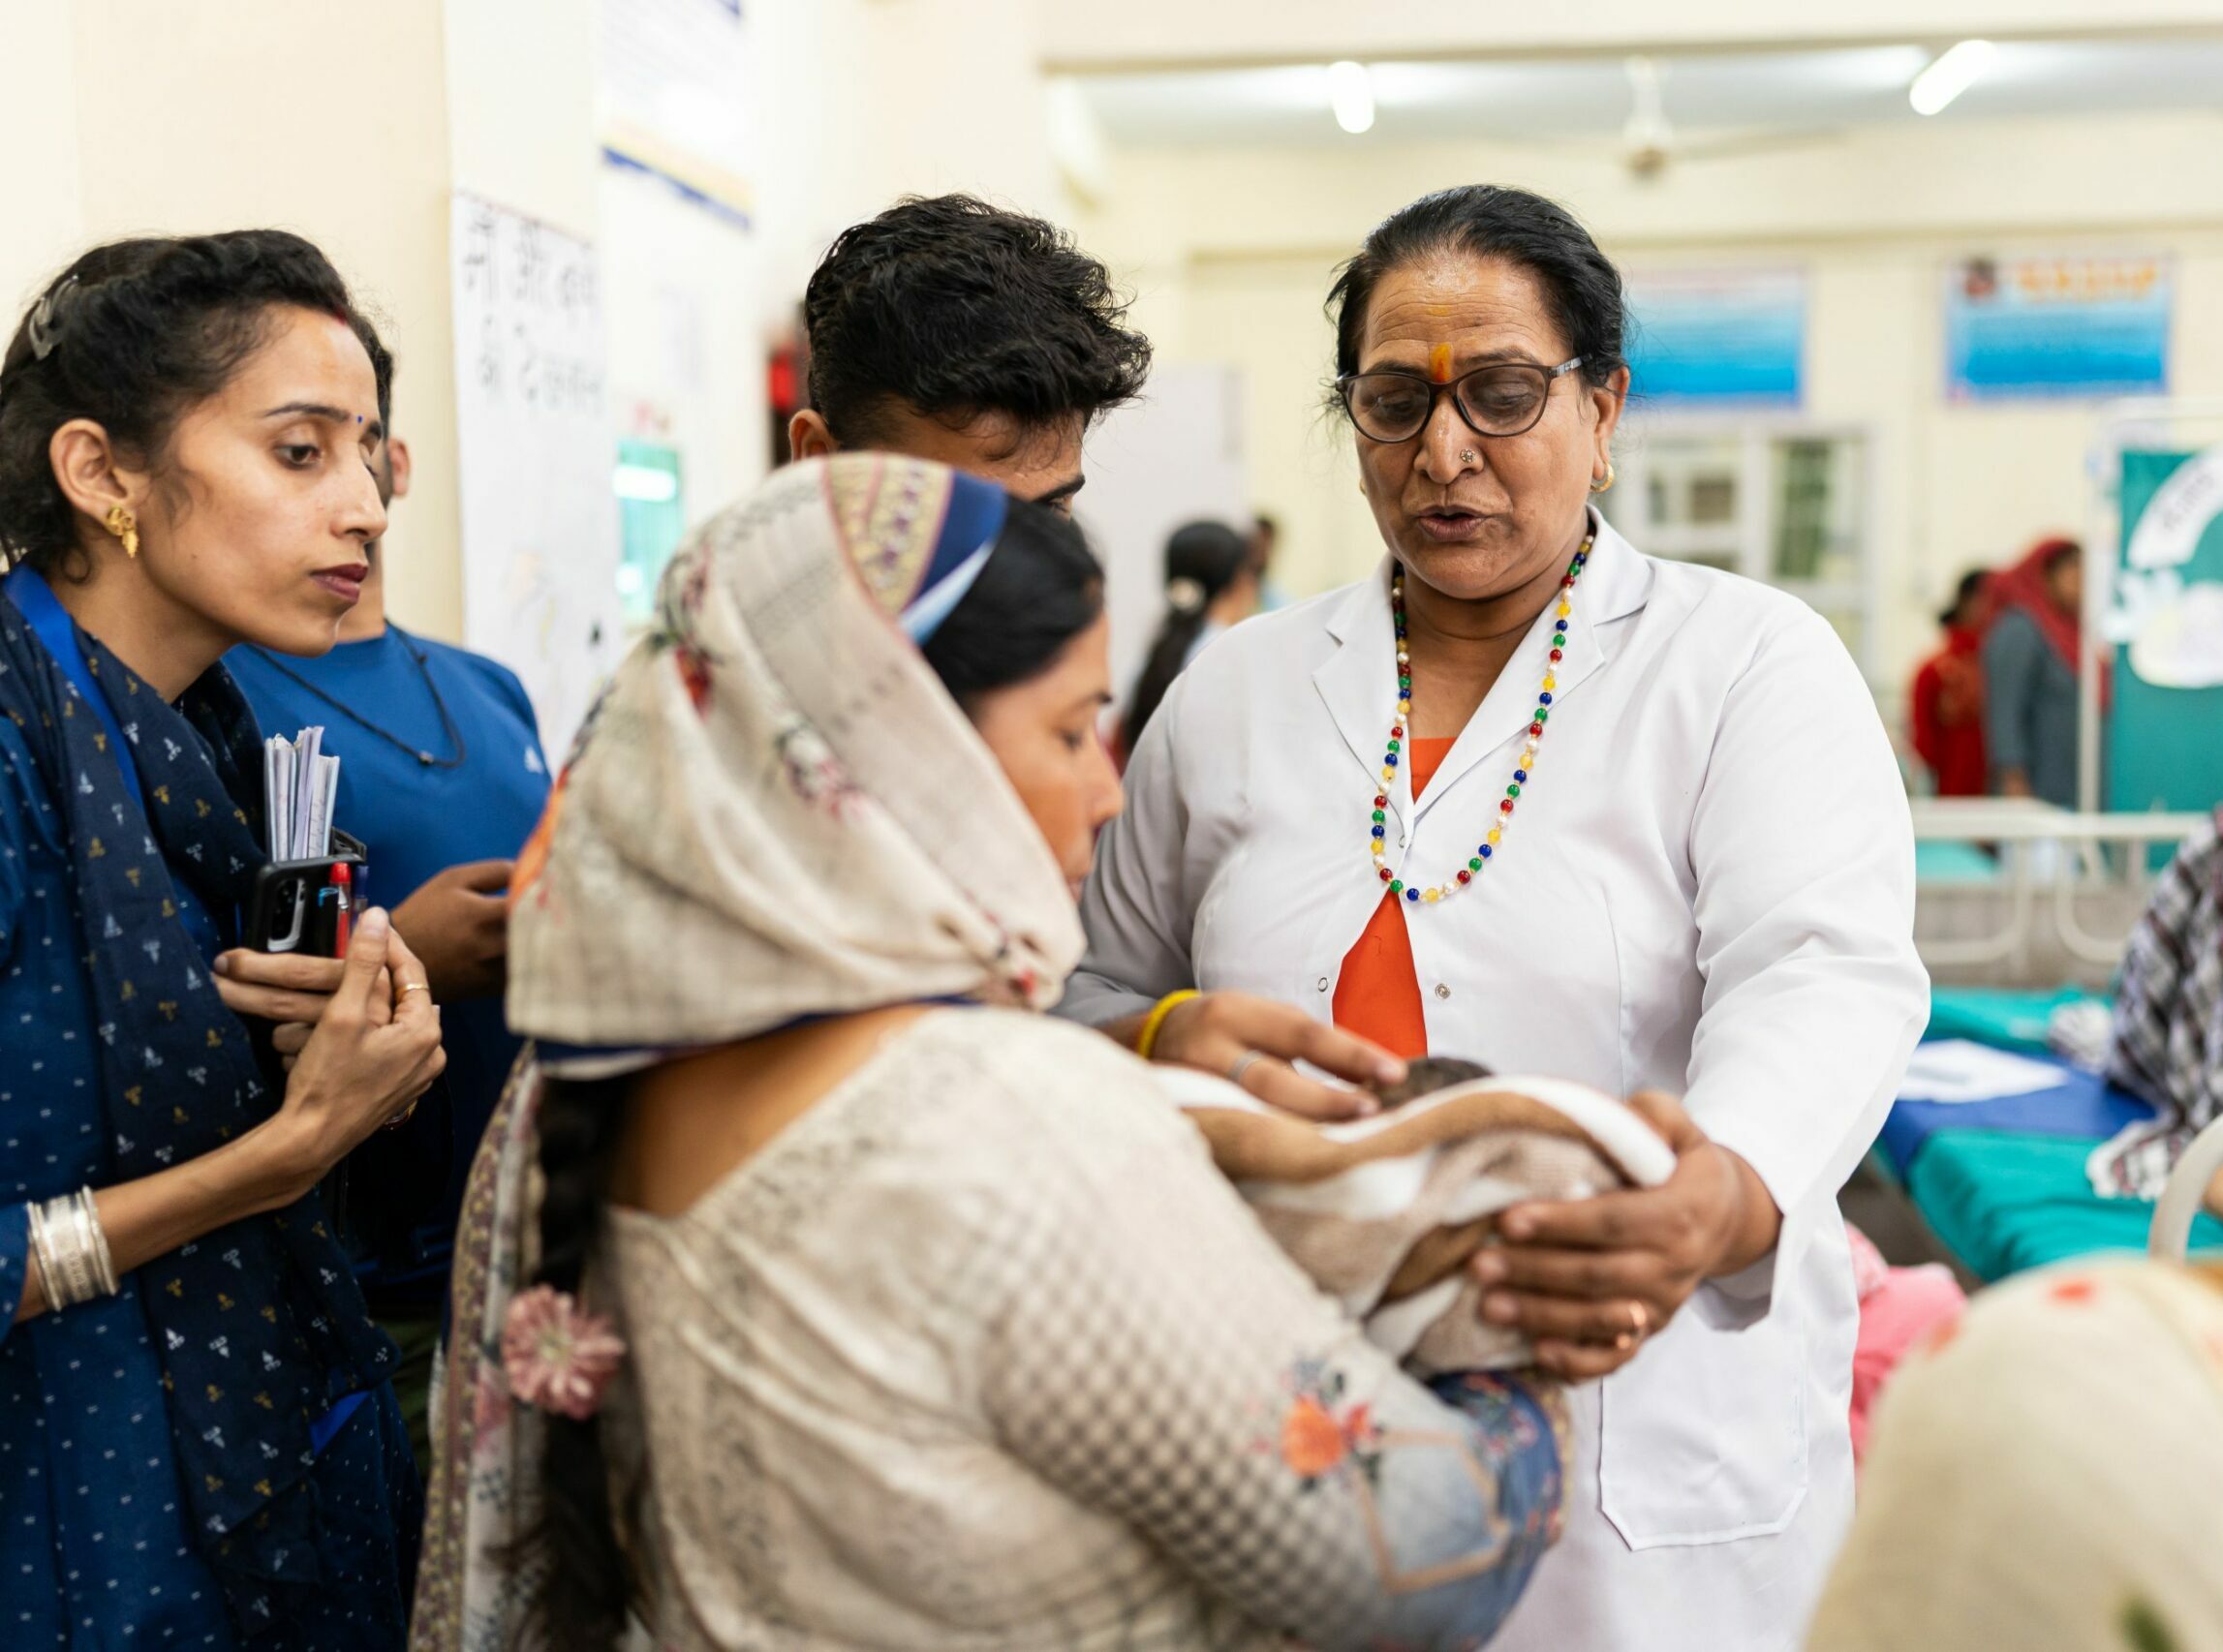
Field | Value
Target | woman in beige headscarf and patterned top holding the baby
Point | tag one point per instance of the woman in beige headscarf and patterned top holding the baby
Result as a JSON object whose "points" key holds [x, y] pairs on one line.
{"points": [[817, 1293]]}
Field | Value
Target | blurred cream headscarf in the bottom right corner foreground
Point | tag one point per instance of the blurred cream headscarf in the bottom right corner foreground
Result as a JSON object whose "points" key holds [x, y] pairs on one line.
{"points": [[2048, 1477]]}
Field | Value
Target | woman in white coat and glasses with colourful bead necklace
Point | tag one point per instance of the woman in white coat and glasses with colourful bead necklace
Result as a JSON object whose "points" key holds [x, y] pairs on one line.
{"points": [[1706, 888]]}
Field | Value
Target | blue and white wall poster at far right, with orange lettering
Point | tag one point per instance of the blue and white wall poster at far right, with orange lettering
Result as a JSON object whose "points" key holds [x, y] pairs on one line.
{"points": [[2026, 328]]}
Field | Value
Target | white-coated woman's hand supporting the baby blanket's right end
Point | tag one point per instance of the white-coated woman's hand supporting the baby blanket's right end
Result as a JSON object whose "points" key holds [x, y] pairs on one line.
{"points": [[1591, 1280]]}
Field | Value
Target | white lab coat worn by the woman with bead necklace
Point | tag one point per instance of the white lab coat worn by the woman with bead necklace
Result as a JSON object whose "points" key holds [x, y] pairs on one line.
{"points": [[1708, 888]]}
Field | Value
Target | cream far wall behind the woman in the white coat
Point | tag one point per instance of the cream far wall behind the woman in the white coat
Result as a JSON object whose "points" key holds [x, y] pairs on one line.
{"points": [[1233, 255]]}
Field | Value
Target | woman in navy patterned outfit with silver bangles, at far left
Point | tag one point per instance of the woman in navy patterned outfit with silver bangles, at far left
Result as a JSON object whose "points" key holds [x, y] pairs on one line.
{"points": [[206, 1455]]}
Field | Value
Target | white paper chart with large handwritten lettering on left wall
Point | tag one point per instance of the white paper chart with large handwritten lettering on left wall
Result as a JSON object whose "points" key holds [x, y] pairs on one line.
{"points": [[535, 461]]}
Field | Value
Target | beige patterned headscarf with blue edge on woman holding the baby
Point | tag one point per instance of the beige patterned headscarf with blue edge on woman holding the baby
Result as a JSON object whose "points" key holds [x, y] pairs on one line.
{"points": [[779, 810]]}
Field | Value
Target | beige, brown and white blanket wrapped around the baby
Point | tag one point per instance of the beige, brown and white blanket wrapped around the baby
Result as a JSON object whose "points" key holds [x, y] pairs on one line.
{"points": [[1388, 1211]]}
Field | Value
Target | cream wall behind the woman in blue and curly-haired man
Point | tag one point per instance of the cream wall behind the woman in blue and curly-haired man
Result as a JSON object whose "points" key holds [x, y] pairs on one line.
{"points": [[355, 126]]}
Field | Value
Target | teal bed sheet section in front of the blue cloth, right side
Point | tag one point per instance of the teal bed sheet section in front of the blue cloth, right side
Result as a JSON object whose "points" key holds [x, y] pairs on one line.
{"points": [[2006, 1204]]}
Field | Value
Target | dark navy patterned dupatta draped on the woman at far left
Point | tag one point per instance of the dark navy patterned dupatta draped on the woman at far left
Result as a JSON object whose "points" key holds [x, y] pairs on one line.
{"points": [[259, 1326]]}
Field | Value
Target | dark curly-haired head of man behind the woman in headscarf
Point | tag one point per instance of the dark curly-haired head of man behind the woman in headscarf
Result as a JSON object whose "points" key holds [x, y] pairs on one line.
{"points": [[968, 335]]}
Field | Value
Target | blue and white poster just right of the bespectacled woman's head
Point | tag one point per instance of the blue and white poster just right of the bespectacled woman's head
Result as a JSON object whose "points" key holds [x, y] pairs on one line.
{"points": [[1717, 337]]}
